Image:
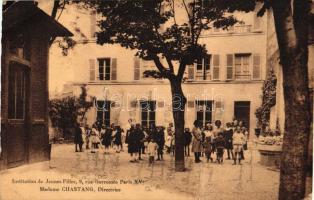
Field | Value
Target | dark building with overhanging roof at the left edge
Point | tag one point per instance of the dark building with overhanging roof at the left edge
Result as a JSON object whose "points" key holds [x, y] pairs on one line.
{"points": [[26, 32]]}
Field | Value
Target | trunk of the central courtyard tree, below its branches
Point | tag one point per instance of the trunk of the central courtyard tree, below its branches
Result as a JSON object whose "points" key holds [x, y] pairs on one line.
{"points": [[178, 107]]}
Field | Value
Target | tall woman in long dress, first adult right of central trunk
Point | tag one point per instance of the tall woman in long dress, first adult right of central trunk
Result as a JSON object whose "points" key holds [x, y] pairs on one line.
{"points": [[196, 141]]}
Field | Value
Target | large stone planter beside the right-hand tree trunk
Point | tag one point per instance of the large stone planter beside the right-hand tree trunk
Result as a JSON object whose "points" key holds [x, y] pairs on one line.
{"points": [[270, 155]]}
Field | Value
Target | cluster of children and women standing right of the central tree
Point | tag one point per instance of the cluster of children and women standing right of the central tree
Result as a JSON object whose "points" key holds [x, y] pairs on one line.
{"points": [[216, 139]]}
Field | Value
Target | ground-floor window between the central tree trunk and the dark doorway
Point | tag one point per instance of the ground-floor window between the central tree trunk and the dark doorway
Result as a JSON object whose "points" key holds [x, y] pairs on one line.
{"points": [[204, 111]]}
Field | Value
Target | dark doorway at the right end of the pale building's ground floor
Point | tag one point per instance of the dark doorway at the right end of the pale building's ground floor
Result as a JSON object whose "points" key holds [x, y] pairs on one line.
{"points": [[242, 112]]}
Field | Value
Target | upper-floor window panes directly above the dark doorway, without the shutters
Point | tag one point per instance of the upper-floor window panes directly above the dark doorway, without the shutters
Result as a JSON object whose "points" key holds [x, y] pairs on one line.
{"points": [[242, 66]]}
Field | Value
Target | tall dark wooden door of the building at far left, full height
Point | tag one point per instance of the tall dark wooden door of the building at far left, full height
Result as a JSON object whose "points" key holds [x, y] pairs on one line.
{"points": [[17, 114]]}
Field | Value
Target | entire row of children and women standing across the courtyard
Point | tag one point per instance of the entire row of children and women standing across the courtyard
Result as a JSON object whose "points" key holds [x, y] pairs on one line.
{"points": [[206, 141]]}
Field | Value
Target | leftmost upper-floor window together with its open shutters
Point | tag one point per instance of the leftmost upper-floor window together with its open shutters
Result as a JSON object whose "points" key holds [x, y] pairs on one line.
{"points": [[106, 69]]}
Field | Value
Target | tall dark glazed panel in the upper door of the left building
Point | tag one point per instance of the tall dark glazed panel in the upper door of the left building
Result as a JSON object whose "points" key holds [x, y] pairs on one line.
{"points": [[17, 89]]}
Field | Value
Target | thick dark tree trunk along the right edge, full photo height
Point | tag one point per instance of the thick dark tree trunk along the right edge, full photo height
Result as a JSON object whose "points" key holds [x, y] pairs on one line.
{"points": [[292, 36]]}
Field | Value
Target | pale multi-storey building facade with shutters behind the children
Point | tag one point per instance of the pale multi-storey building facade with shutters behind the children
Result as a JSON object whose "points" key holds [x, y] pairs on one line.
{"points": [[224, 85]]}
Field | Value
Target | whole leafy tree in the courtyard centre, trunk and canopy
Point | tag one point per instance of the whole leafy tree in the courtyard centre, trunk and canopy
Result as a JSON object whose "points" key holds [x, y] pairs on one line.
{"points": [[157, 32]]}
